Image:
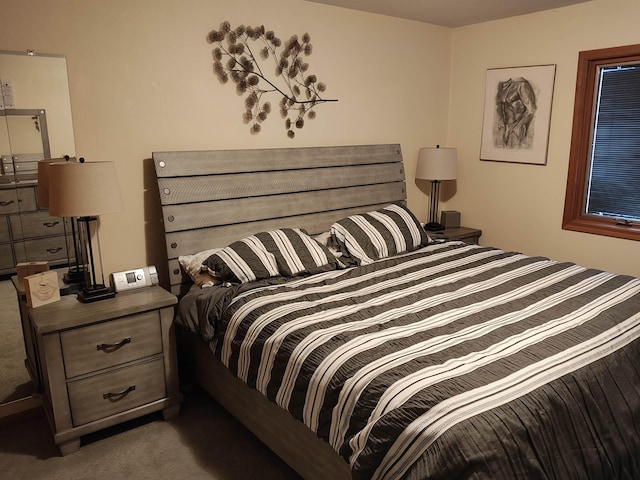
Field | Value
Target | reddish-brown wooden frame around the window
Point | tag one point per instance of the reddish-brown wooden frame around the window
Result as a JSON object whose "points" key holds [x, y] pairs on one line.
{"points": [[575, 217]]}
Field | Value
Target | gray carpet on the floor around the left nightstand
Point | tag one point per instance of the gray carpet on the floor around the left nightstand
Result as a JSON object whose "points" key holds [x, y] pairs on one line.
{"points": [[203, 442]]}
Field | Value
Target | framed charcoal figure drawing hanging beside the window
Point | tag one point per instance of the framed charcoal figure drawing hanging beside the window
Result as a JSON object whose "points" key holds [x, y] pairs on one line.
{"points": [[517, 114]]}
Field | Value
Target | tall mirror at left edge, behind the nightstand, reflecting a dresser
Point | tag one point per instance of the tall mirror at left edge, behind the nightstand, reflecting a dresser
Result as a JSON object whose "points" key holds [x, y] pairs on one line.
{"points": [[35, 123]]}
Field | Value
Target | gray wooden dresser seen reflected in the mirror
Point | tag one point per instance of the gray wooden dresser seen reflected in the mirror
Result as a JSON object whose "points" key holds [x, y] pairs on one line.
{"points": [[27, 233]]}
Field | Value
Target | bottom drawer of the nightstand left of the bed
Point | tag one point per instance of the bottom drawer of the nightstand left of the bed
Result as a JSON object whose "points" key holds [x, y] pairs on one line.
{"points": [[107, 394]]}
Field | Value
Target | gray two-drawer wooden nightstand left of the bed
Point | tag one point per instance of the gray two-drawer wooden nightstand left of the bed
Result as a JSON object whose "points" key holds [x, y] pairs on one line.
{"points": [[106, 362]]}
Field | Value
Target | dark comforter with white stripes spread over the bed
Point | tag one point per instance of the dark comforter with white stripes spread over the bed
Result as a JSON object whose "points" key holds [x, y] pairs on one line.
{"points": [[455, 361]]}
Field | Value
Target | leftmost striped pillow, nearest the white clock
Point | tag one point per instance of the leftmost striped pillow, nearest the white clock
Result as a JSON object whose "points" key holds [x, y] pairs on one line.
{"points": [[243, 261]]}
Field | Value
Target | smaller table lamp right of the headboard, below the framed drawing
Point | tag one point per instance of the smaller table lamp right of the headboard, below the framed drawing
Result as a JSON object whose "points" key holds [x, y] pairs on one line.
{"points": [[436, 164]]}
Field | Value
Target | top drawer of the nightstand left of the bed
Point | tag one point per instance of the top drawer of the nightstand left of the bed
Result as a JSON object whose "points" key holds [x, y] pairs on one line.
{"points": [[104, 345]]}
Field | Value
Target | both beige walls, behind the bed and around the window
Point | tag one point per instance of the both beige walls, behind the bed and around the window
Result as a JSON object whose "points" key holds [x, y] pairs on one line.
{"points": [[141, 81]]}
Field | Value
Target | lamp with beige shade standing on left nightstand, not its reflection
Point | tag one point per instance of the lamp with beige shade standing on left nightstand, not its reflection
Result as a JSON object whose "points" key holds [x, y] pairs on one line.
{"points": [[85, 190]]}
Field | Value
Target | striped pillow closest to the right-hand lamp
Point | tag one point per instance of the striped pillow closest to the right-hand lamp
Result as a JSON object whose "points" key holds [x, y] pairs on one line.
{"points": [[380, 234]]}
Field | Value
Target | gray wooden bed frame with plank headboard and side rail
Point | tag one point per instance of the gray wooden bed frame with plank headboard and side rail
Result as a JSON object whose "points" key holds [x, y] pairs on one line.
{"points": [[211, 198]]}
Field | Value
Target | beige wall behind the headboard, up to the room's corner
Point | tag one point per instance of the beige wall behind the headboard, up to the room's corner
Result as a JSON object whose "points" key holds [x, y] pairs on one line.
{"points": [[141, 80]]}
